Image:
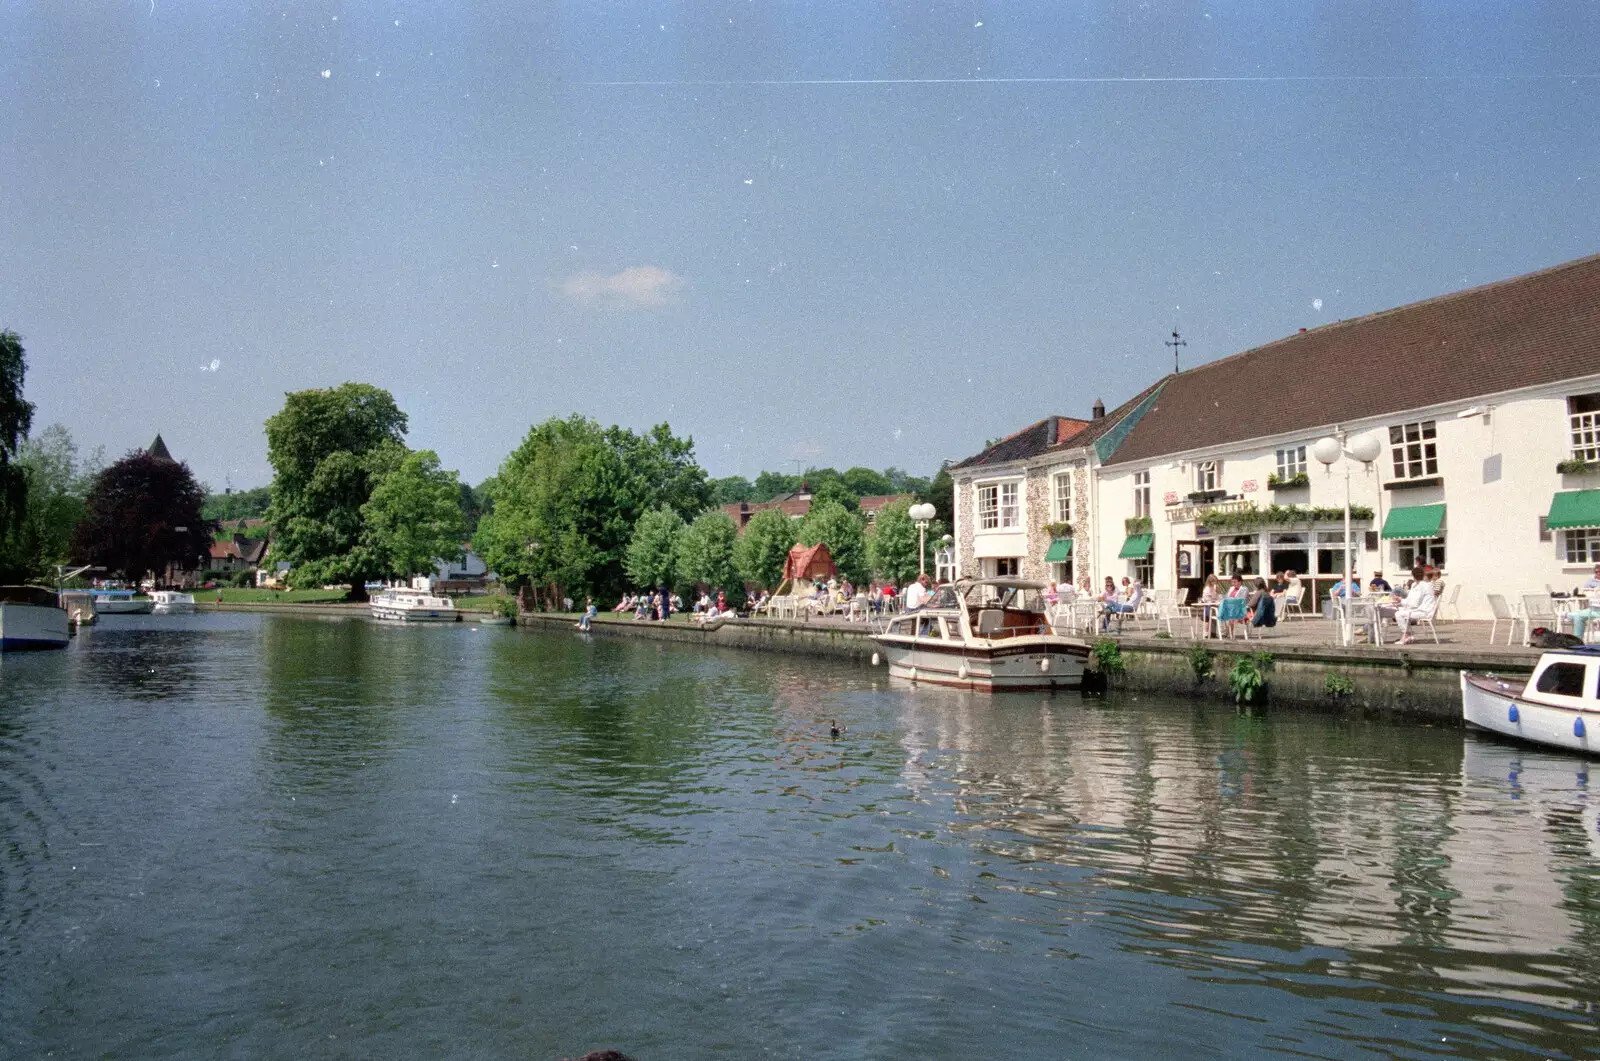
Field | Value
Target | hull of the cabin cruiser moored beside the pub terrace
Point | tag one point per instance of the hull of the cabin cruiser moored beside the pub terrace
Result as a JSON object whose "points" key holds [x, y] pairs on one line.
{"points": [[1026, 663]]}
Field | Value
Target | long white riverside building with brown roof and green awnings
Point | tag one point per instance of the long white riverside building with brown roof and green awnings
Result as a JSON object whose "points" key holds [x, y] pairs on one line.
{"points": [[1486, 406]]}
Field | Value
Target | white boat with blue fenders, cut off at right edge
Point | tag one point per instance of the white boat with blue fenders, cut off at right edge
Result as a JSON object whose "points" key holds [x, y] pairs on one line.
{"points": [[1558, 707]]}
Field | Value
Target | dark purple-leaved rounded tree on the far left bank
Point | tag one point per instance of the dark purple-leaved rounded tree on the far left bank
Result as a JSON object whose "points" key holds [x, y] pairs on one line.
{"points": [[142, 516]]}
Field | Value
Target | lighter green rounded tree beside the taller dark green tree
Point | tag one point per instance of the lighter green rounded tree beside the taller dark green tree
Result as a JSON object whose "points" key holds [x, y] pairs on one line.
{"points": [[414, 518]]}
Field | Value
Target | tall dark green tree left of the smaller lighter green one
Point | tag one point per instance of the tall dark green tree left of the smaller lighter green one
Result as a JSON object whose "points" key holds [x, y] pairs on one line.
{"points": [[329, 450]]}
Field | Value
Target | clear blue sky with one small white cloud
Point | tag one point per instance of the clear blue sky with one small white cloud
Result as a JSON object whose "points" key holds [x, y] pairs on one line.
{"points": [[823, 233]]}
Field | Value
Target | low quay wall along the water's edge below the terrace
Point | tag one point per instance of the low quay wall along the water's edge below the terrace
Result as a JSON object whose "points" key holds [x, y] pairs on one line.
{"points": [[1420, 686]]}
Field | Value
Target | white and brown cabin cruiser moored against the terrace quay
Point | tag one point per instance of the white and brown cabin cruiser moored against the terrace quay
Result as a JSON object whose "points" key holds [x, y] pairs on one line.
{"points": [[985, 635]]}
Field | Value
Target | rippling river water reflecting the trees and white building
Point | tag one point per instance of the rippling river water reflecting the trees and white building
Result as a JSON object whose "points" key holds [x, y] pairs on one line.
{"points": [[246, 836]]}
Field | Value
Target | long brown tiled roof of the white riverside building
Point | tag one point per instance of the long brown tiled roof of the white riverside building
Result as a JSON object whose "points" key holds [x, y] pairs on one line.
{"points": [[1529, 330]]}
